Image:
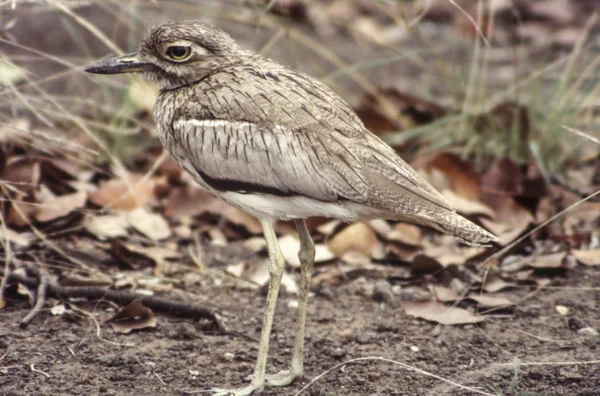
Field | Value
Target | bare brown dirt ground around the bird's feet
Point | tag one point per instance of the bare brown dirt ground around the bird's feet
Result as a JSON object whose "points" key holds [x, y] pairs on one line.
{"points": [[179, 356]]}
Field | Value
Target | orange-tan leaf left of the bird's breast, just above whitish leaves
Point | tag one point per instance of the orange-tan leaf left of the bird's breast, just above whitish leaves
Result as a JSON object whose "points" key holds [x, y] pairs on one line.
{"points": [[127, 193]]}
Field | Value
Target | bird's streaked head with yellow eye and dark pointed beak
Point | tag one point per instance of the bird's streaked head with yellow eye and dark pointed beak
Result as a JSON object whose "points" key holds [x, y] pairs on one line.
{"points": [[176, 54]]}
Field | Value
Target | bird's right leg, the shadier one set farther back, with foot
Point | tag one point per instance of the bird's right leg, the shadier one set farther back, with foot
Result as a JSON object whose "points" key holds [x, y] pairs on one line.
{"points": [[307, 259]]}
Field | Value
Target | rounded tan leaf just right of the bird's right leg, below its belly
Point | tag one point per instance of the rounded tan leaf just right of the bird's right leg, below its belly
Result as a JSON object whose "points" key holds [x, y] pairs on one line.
{"points": [[358, 237]]}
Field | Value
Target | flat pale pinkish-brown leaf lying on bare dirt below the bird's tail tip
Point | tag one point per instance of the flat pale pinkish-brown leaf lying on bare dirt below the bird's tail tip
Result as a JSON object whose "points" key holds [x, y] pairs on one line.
{"points": [[438, 312]]}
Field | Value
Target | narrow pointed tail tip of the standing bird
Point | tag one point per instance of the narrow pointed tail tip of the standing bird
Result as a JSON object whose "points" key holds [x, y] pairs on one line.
{"points": [[462, 229]]}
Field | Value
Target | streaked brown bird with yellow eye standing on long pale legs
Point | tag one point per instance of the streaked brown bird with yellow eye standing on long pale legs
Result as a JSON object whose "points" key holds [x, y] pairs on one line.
{"points": [[279, 145]]}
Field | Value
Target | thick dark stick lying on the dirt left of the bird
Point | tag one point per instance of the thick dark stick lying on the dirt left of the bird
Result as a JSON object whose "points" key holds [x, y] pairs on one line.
{"points": [[157, 304]]}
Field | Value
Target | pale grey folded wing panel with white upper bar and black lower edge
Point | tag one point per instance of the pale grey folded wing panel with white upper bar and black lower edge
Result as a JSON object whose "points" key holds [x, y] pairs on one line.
{"points": [[244, 157]]}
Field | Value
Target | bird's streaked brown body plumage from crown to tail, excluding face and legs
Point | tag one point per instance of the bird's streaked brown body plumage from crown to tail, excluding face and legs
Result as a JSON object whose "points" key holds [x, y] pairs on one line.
{"points": [[257, 127]]}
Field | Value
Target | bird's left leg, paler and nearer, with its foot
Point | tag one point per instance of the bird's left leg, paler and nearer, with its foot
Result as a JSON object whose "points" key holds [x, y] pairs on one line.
{"points": [[276, 264]]}
